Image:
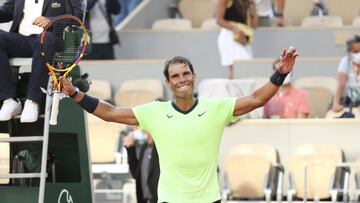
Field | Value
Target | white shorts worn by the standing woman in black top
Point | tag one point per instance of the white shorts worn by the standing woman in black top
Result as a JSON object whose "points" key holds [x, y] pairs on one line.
{"points": [[230, 50]]}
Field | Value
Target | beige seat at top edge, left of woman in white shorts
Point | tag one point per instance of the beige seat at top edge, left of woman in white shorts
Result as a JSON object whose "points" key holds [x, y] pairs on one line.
{"points": [[197, 10]]}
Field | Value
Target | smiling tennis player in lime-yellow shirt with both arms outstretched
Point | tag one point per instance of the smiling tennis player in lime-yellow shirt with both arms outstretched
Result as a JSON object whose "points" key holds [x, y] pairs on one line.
{"points": [[187, 131]]}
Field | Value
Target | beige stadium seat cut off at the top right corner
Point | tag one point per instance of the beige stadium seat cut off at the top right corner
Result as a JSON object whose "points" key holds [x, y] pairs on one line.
{"points": [[345, 9]]}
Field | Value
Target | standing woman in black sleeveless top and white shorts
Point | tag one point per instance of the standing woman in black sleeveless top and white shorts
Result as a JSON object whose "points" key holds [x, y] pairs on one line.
{"points": [[235, 34]]}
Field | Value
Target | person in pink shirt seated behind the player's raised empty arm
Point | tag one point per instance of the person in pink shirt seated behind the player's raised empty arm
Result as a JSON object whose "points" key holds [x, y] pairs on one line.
{"points": [[288, 102]]}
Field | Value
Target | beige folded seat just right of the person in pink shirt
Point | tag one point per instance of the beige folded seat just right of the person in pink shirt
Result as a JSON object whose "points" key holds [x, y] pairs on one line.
{"points": [[320, 90]]}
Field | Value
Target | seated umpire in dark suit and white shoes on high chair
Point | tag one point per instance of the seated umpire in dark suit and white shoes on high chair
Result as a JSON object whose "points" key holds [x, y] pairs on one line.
{"points": [[29, 18]]}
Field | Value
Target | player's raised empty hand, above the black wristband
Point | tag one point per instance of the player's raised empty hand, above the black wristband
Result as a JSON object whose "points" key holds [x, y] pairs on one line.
{"points": [[287, 60]]}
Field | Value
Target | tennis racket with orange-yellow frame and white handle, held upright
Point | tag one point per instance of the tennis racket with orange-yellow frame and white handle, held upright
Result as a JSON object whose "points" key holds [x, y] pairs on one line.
{"points": [[63, 44]]}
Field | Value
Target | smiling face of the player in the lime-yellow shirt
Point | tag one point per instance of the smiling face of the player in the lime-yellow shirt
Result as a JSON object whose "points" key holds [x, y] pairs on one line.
{"points": [[181, 80]]}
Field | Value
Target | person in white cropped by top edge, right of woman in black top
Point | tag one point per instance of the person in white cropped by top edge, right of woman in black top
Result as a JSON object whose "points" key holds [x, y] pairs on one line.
{"points": [[266, 13]]}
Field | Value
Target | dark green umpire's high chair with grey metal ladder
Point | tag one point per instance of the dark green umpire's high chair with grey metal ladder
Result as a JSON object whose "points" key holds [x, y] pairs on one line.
{"points": [[69, 140]]}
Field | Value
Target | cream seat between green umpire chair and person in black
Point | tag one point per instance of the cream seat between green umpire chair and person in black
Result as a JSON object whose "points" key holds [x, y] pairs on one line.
{"points": [[109, 165]]}
